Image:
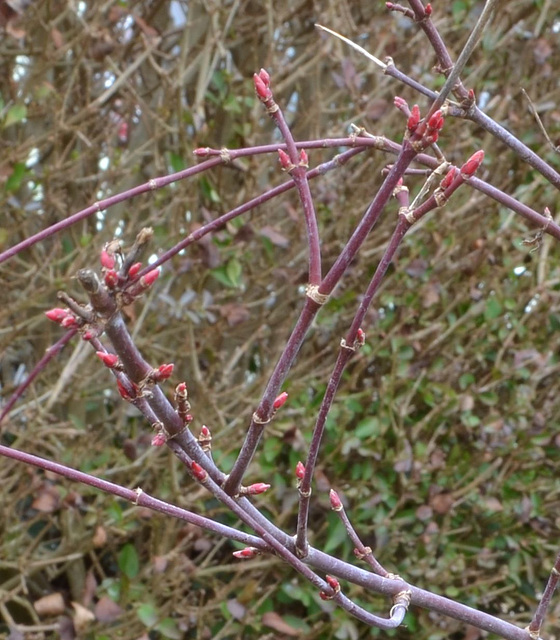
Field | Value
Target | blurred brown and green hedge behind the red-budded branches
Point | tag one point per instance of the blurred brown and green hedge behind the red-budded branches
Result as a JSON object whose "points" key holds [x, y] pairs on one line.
{"points": [[442, 438]]}
